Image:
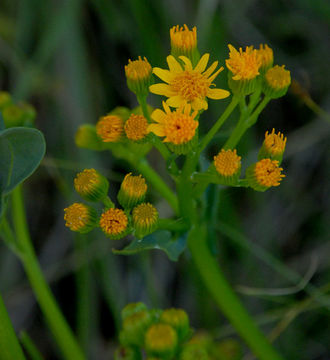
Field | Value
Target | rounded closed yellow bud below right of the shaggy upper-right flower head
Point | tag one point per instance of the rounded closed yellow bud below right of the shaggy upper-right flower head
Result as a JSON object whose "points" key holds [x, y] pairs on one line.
{"points": [[276, 82]]}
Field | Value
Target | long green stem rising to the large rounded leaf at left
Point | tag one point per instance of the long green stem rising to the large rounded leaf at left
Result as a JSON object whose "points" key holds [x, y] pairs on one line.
{"points": [[54, 317]]}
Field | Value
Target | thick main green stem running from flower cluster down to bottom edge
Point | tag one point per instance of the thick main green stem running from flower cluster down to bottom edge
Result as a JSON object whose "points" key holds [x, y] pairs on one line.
{"points": [[224, 296]]}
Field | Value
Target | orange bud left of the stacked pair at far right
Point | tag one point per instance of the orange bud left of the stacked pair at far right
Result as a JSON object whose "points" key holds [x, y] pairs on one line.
{"points": [[228, 166]]}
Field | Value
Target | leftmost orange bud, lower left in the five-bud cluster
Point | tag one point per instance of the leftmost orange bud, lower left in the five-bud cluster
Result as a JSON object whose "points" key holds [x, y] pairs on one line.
{"points": [[80, 217]]}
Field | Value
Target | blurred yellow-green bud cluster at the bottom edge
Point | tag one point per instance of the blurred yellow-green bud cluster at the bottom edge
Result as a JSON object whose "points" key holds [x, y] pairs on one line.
{"points": [[166, 334]]}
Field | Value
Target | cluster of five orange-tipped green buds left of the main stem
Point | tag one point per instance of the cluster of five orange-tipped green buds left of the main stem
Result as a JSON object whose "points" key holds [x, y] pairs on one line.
{"points": [[136, 217]]}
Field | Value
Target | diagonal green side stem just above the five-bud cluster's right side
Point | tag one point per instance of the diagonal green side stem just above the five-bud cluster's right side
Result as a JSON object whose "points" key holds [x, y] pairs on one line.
{"points": [[157, 182]]}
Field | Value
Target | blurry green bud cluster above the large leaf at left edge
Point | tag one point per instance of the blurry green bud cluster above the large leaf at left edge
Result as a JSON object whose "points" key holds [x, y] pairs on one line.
{"points": [[21, 114]]}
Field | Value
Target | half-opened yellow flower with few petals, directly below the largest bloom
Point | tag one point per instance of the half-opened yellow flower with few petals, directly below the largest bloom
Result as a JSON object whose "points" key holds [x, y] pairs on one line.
{"points": [[178, 127]]}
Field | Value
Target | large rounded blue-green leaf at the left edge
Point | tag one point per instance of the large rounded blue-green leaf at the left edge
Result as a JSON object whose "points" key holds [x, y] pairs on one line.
{"points": [[22, 150]]}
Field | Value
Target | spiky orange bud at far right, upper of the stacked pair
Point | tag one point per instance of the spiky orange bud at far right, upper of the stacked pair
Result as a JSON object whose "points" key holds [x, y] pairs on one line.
{"points": [[273, 146]]}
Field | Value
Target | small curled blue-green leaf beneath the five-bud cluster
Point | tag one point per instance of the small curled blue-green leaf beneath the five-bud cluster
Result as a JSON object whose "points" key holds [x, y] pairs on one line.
{"points": [[161, 240]]}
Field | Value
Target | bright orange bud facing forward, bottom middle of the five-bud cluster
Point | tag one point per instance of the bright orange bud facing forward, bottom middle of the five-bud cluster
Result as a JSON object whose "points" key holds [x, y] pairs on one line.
{"points": [[113, 223]]}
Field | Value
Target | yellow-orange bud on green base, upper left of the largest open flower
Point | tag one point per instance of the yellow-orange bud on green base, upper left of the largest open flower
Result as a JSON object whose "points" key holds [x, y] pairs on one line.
{"points": [[139, 76]]}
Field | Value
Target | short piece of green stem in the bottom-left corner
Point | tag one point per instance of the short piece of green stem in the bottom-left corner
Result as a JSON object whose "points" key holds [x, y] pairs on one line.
{"points": [[9, 345]]}
